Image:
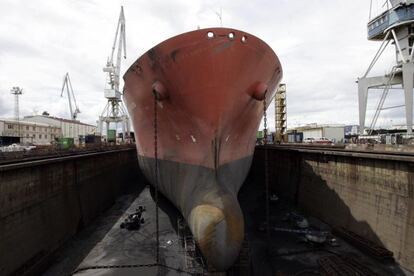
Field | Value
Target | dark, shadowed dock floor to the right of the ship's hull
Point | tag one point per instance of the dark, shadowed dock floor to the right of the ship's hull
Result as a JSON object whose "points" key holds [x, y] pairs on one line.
{"points": [[286, 253]]}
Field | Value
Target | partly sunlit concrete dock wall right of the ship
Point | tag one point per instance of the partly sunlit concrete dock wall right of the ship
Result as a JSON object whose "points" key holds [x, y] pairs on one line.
{"points": [[370, 194]]}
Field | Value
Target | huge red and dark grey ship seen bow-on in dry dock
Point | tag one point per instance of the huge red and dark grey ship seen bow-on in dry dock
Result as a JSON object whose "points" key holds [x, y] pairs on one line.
{"points": [[208, 90]]}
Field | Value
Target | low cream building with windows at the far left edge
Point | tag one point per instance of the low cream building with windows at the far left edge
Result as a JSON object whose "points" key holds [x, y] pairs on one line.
{"points": [[25, 132]]}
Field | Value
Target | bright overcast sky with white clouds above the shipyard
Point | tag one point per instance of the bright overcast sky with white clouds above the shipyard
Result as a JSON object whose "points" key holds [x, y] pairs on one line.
{"points": [[322, 46]]}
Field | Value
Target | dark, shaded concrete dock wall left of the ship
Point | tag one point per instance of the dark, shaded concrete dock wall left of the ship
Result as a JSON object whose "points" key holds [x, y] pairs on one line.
{"points": [[45, 202]]}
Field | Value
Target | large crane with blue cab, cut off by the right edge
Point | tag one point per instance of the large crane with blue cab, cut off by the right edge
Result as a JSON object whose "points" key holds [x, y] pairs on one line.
{"points": [[394, 25]]}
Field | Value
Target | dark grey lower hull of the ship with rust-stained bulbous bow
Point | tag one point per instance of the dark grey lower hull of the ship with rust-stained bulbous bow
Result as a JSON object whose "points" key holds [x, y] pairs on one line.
{"points": [[207, 199]]}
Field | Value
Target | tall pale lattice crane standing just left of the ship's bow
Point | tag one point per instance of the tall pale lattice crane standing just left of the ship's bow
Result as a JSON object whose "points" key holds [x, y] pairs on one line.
{"points": [[115, 111]]}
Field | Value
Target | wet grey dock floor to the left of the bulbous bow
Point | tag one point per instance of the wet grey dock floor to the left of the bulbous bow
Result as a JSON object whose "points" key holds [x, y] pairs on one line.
{"points": [[104, 248]]}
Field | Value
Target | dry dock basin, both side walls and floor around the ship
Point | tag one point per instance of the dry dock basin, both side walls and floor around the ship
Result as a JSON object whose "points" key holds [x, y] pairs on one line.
{"points": [[53, 217]]}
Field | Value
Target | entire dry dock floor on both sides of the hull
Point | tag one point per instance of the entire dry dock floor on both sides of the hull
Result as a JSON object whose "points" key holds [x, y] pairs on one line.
{"points": [[103, 248]]}
